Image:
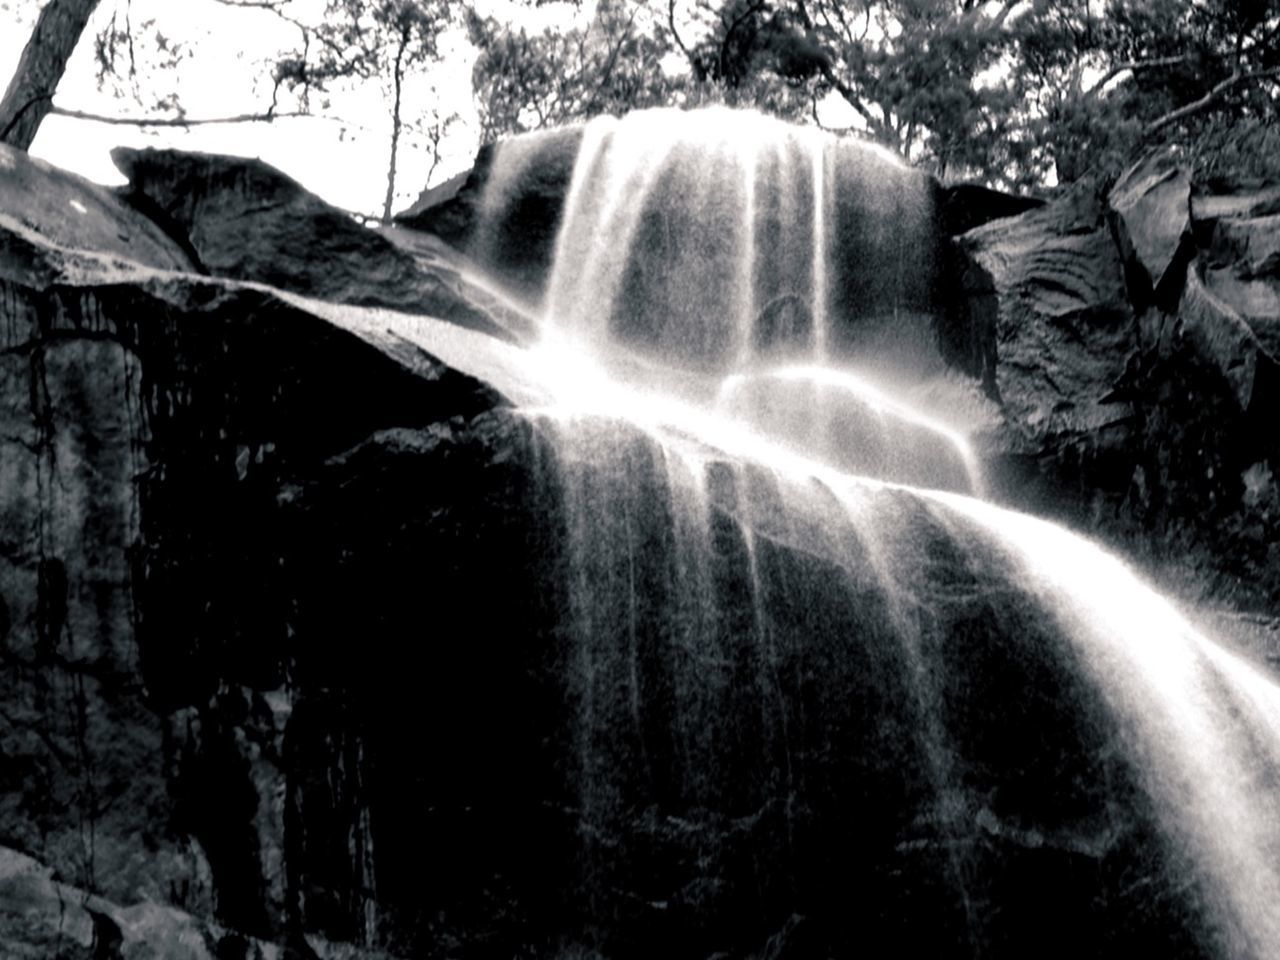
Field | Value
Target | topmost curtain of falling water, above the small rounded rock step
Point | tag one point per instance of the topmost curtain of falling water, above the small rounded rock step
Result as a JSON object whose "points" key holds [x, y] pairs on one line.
{"points": [[723, 239]]}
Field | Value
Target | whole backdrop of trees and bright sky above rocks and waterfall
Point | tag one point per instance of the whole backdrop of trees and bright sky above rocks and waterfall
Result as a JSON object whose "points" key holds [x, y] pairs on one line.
{"points": [[368, 102]]}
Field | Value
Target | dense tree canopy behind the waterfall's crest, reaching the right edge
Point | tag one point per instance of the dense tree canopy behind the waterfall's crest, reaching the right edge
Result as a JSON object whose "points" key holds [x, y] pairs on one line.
{"points": [[1020, 94]]}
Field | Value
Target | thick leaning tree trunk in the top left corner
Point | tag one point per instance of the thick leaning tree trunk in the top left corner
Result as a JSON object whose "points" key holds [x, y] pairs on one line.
{"points": [[30, 97]]}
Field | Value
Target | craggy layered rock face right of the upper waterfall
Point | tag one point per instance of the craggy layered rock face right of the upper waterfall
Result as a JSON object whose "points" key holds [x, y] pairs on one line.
{"points": [[1136, 367]]}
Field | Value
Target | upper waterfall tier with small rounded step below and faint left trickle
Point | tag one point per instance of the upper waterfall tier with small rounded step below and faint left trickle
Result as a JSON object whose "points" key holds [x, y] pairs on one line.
{"points": [[757, 268]]}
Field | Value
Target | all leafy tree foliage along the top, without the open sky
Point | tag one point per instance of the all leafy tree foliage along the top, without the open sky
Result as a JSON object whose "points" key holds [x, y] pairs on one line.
{"points": [[1016, 93]]}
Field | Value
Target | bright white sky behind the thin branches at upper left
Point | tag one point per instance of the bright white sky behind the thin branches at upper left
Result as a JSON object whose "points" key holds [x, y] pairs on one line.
{"points": [[228, 75]]}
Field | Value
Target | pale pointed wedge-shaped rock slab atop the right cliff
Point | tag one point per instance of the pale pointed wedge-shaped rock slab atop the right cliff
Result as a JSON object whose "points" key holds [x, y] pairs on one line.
{"points": [[1153, 209]]}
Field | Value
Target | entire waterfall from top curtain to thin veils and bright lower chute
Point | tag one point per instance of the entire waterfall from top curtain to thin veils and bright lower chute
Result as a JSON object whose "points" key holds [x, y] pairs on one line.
{"points": [[817, 711]]}
